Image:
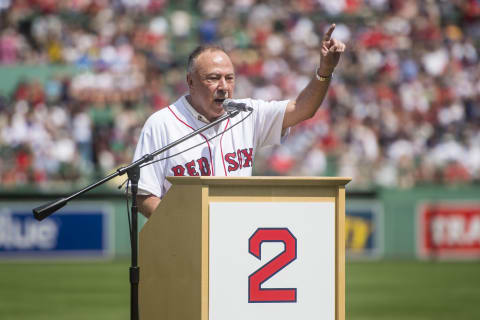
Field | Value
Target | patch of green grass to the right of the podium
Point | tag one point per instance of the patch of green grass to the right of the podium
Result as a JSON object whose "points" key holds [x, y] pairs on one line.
{"points": [[413, 290]]}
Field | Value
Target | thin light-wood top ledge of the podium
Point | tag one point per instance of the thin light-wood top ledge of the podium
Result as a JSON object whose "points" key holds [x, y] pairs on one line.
{"points": [[262, 181]]}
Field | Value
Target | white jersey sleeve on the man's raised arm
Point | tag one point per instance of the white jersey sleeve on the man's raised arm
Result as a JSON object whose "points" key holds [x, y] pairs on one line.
{"points": [[269, 121]]}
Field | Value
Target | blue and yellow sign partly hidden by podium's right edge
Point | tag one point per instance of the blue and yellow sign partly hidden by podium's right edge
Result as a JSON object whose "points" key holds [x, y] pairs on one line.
{"points": [[363, 229]]}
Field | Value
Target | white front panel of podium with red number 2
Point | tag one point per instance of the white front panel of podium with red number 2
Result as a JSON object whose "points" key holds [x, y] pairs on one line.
{"points": [[299, 286]]}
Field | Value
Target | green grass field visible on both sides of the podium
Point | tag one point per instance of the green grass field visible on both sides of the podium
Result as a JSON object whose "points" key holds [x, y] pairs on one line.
{"points": [[375, 290]]}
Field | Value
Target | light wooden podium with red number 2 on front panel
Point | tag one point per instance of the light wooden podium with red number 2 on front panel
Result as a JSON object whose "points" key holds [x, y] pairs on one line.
{"points": [[221, 248]]}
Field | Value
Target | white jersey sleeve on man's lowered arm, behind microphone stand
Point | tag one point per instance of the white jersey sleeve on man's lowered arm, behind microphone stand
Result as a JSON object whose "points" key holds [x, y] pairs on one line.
{"points": [[152, 176]]}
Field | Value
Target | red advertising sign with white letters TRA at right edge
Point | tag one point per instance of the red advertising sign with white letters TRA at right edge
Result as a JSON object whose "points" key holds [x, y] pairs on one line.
{"points": [[449, 230]]}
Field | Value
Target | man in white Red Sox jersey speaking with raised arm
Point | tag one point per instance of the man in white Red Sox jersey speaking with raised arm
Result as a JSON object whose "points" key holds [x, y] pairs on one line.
{"points": [[228, 148]]}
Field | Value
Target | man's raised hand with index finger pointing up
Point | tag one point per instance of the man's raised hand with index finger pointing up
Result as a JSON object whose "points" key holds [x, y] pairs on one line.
{"points": [[330, 53]]}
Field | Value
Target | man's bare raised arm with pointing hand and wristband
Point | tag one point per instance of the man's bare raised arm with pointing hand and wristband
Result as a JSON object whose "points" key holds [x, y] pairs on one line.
{"points": [[311, 97]]}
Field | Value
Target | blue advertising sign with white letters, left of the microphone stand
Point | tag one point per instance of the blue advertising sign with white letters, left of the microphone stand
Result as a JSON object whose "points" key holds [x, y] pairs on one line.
{"points": [[81, 231]]}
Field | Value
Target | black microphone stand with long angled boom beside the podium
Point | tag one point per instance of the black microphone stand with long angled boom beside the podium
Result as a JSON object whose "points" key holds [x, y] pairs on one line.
{"points": [[133, 173]]}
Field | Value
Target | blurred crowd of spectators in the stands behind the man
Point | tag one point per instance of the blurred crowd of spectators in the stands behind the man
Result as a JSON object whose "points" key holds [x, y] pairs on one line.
{"points": [[403, 107]]}
